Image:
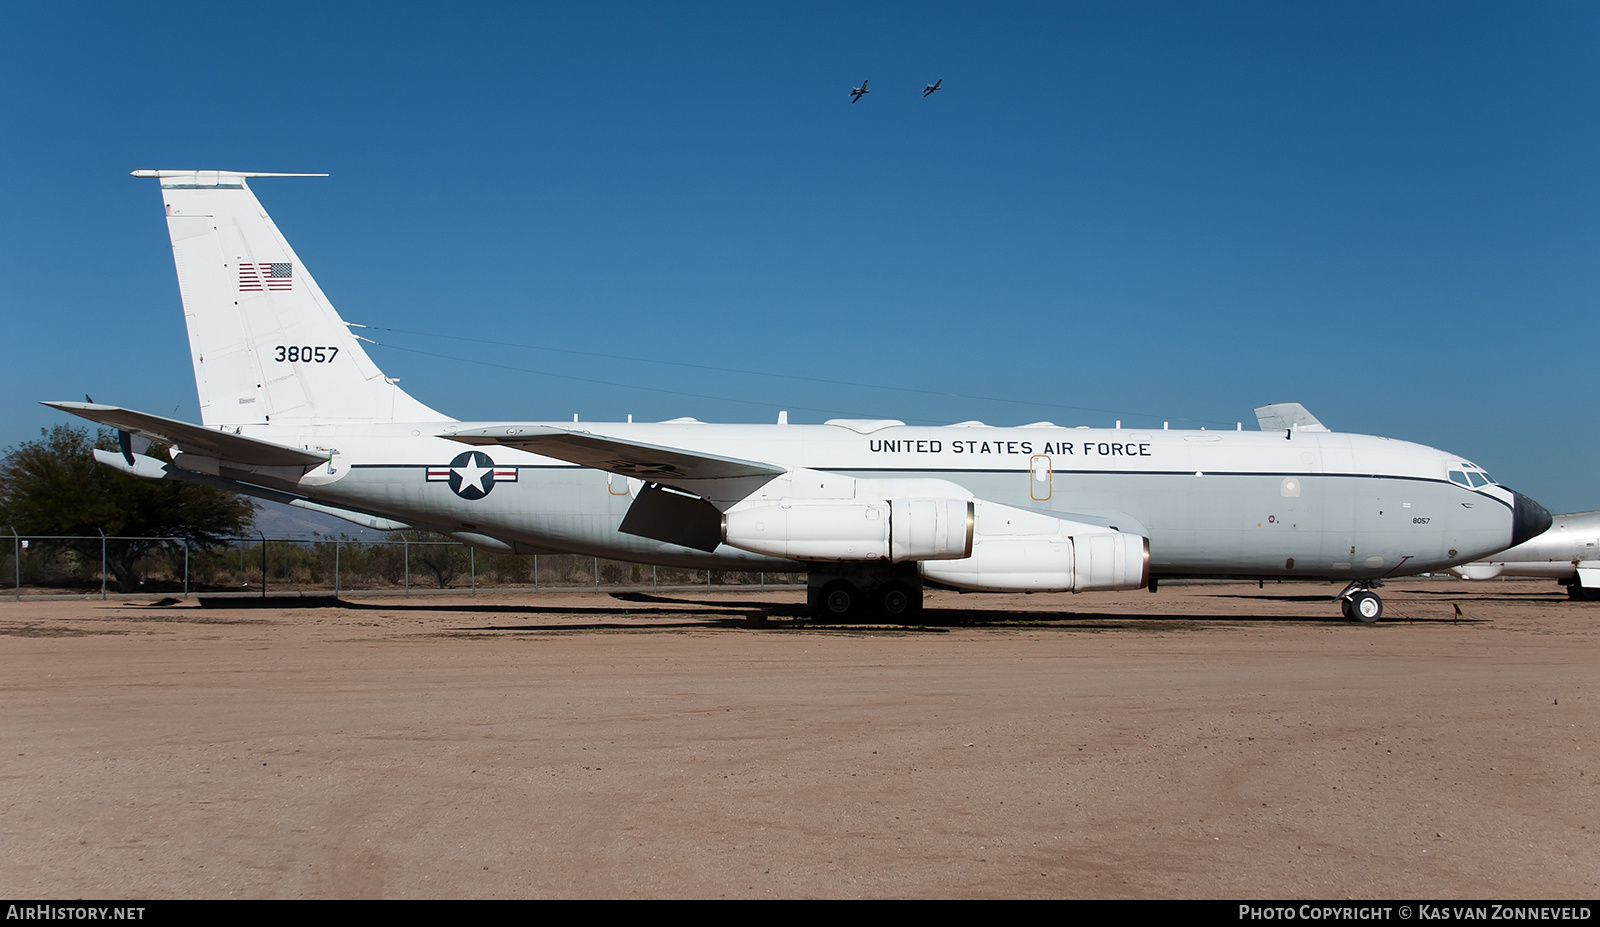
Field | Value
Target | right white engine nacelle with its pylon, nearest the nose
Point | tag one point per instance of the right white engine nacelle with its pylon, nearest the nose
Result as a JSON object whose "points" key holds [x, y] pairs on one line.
{"points": [[1022, 552]]}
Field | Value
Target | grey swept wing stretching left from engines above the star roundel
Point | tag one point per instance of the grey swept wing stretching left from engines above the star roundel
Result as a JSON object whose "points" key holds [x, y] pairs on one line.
{"points": [[631, 459]]}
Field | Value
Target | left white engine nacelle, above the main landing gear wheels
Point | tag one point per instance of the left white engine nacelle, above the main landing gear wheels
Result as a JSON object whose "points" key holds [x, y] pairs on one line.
{"points": [[898, 531]]}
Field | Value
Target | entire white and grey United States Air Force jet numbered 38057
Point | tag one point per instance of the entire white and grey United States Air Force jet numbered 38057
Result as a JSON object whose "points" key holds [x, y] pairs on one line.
{"points": [[873, 510]]}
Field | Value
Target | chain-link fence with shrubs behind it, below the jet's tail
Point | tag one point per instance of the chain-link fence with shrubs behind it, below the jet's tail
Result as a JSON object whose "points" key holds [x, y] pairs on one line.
{"points": [[401, 564]]}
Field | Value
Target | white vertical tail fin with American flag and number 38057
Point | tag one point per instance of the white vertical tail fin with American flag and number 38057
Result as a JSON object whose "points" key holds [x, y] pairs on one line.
{"points": [[268, 347]]}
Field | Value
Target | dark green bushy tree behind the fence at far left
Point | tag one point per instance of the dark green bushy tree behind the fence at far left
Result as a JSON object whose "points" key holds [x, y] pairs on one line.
{"points": [[54, 486]]}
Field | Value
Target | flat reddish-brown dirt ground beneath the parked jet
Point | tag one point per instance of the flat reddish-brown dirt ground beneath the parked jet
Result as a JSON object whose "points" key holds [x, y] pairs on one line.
{"points": [[1204, 742]]}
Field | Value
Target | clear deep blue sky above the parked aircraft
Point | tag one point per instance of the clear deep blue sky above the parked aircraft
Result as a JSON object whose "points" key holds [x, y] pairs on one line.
{"points": [[1142, 212]]}
